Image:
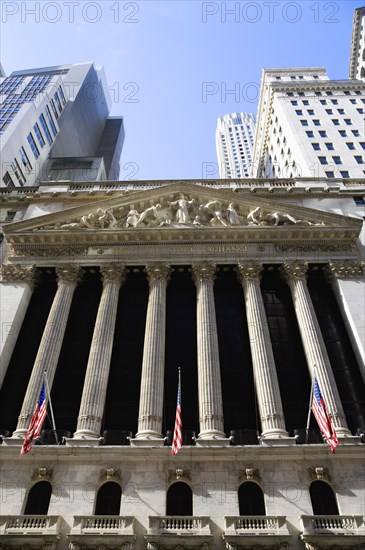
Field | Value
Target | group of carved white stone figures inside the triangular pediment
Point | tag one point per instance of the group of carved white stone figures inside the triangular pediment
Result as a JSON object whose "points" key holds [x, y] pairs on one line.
{"points": [[182, 211]]}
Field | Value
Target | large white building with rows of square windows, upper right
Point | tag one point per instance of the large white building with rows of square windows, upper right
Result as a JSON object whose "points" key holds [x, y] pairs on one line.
{"points": [[309, 126]]}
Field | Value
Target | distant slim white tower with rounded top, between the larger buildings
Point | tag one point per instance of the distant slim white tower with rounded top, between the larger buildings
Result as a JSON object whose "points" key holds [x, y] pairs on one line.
{"points": [[234, 142]]}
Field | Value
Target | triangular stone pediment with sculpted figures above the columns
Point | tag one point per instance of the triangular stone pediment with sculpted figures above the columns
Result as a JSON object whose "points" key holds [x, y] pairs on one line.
{"points": [[178, 212]]}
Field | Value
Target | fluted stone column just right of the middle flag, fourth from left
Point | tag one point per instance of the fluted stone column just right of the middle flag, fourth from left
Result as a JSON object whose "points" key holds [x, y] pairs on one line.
{"points": [[209, 376]]}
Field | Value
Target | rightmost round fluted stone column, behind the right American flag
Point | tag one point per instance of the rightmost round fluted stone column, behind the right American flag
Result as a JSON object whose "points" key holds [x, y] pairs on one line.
{"points": [[315, 350]]}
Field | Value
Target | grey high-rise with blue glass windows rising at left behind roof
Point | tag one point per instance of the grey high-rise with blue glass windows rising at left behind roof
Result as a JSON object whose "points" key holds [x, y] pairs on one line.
{"points": [[57, 113]]}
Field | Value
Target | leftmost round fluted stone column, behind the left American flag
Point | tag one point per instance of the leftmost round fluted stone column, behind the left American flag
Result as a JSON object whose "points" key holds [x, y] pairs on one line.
{"points": [[49, 349]]}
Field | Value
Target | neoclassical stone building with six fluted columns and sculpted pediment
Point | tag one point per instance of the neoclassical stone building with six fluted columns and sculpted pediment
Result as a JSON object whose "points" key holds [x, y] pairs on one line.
{"points": [[252, 288]]}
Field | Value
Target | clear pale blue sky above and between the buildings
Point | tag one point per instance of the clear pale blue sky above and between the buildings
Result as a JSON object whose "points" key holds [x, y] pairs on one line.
{"points": [[173, 67]]}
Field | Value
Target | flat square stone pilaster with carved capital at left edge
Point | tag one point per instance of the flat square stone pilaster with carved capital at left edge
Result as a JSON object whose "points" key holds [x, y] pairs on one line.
{"points": [[17, 284]]}
